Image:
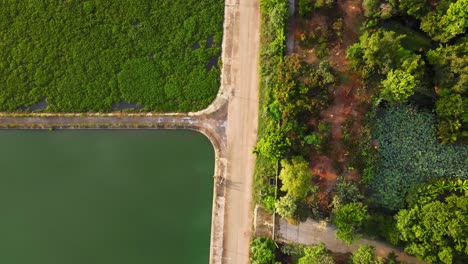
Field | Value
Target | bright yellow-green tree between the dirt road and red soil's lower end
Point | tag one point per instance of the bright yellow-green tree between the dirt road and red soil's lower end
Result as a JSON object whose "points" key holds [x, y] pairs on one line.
{"points": [[295, 177]]}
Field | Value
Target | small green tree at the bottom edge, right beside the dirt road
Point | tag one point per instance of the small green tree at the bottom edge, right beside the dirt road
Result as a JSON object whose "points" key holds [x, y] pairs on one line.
{"points": [[262, 251]]}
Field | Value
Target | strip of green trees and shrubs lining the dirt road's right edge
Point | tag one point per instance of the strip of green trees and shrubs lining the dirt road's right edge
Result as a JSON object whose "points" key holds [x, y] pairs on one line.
{"points": [[291, 92]]}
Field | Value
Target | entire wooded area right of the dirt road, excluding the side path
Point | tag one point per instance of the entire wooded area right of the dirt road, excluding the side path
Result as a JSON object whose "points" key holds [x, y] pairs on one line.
{"points": [[364, 124]]}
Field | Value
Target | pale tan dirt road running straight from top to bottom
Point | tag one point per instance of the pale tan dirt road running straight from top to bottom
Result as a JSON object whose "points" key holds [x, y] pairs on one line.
{"points": [[241, 134]]}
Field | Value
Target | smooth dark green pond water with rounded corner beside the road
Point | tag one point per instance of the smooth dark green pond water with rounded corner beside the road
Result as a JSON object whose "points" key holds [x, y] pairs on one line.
{"points": [[89, 197]]}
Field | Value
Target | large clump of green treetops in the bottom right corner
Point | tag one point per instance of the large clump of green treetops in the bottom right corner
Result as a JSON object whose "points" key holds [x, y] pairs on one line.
{"points": [[436, 224]]}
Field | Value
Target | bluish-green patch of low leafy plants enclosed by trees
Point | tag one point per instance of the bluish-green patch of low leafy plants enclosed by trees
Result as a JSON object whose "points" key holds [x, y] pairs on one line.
{"points": [[409, 154]]}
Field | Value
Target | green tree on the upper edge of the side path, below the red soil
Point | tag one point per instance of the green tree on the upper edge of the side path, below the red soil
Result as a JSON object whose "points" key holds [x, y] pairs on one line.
{"points": [[348, 220]]}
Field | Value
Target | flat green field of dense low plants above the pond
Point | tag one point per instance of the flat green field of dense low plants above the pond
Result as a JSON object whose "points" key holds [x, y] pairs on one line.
{"points": [[90, 55]]}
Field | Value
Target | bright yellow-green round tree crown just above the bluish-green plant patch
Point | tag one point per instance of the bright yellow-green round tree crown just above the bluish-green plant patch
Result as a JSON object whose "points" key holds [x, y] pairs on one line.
{"points": [[398, 86]]}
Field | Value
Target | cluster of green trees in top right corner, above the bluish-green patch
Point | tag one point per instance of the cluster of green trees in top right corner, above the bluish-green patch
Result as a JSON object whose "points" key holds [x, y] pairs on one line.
{"points": [[396, 57]]}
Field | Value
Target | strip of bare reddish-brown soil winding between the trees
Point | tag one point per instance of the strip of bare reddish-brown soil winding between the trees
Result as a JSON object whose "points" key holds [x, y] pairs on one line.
{"points": [[327, 166]]}
